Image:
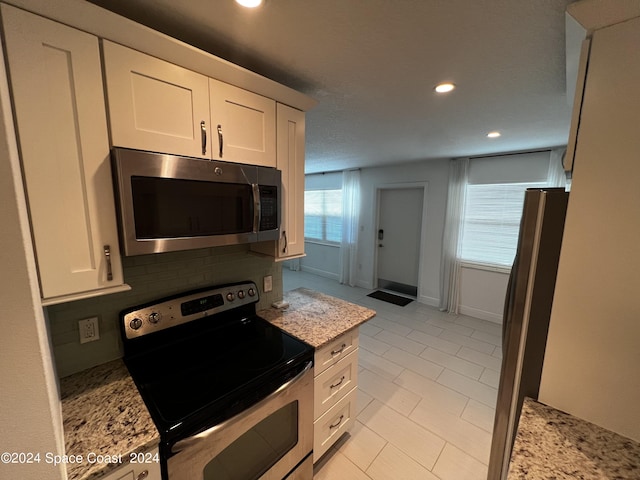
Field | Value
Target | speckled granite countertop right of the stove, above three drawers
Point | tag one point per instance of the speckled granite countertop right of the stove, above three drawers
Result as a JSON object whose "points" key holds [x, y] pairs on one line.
{"points": [[316, 318]]}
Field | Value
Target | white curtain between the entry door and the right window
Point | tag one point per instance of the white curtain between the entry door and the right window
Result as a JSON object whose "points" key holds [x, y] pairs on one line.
{"points": [[449, 265]]}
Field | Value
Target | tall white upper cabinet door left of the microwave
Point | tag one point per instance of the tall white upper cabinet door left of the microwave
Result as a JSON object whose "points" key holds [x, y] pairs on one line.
{"points": [[56, 80]]}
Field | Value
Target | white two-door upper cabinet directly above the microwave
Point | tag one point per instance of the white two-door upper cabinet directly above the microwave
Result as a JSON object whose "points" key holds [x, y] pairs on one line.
{"points": [[157, 106]]}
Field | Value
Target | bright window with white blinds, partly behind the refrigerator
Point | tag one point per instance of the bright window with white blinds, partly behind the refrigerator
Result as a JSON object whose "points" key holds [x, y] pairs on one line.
{"points": [[491, 222]]}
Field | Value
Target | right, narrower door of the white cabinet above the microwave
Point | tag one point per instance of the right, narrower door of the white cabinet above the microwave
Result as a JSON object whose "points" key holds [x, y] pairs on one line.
{"points": [[243, 125]]}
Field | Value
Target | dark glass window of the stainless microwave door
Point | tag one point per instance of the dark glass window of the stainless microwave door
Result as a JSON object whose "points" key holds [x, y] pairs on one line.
{"points": [[172, 208]]}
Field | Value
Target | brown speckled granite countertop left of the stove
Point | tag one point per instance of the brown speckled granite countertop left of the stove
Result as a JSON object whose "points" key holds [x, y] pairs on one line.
{"points": [[103, 414]]}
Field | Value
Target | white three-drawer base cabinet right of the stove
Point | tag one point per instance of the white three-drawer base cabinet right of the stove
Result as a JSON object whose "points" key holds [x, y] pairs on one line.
{"points": [[335, 387]]}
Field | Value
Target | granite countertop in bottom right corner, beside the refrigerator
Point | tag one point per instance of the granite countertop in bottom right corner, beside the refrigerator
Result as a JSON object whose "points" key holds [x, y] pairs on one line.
{"points": [[551, 444]]}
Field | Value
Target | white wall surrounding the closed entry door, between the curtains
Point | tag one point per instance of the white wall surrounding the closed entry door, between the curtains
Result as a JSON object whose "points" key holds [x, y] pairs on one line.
{"points": [[436, 174]]}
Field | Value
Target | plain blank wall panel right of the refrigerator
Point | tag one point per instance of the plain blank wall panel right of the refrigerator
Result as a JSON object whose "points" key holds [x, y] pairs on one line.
{"points": [[592, 362]]}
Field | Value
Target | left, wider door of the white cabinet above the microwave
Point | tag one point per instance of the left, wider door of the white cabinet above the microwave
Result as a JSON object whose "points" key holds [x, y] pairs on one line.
{"points": [[155, 105]]}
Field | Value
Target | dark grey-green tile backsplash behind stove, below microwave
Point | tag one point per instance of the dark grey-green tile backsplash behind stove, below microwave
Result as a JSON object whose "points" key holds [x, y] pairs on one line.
{"points": [[152, 277]]}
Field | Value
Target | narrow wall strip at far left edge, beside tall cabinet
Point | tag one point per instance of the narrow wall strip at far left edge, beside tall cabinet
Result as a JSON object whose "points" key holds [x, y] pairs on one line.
{"points": [[30, 415]]}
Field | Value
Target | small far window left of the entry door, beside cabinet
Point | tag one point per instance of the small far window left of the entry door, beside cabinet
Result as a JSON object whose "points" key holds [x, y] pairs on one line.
{"points": [[323, 215]]}
